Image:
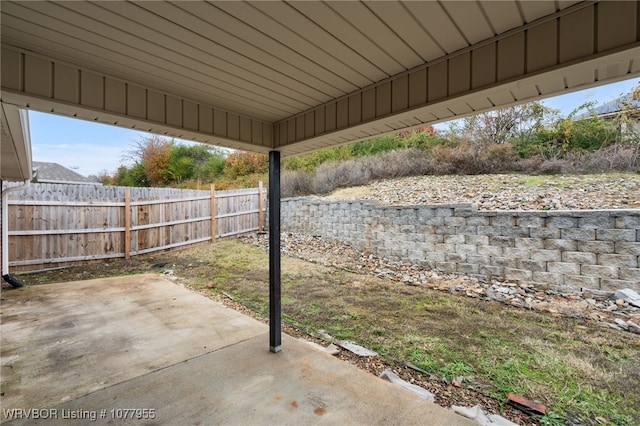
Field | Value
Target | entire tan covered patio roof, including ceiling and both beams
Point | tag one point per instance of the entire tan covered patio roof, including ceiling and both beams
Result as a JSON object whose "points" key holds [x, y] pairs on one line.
{"points": [[303, 75]]}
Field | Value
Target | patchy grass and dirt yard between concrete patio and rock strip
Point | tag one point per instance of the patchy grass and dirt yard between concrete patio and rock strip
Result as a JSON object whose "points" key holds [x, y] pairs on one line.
{"points": [[465, 351]]}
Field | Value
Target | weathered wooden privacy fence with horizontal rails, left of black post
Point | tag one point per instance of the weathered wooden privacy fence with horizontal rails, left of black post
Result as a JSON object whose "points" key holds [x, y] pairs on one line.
{"points": [[54, 225]]}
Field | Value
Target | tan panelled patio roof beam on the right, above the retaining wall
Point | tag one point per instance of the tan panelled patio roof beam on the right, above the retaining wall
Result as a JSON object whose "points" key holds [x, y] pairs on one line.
{"points": [[520, 65]]}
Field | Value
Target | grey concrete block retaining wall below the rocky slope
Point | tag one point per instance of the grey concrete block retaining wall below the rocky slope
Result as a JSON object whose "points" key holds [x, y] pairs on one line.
{"points": [[594, 249]]}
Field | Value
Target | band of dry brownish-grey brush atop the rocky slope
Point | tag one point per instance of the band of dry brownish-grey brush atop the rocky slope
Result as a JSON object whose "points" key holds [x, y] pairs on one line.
{"points": [[463, 159]]}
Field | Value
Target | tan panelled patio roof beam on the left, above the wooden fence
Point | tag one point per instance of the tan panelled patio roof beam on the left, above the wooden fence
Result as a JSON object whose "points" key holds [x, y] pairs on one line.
{"points": [[33, 81]]}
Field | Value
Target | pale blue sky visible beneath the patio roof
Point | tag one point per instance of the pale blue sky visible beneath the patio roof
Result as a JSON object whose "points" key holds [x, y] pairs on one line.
{"points": [[90, 148]]}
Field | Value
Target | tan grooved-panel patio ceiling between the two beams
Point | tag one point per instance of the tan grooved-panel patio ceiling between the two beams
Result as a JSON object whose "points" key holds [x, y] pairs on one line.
{"points": [[268, 60]]}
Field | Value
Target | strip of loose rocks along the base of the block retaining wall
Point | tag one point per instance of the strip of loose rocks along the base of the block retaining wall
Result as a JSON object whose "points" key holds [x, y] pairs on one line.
{"points": [[578, 304]]}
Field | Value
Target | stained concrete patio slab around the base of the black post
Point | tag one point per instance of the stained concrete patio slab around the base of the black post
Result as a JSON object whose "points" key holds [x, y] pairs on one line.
{"points": [[94, 349]]}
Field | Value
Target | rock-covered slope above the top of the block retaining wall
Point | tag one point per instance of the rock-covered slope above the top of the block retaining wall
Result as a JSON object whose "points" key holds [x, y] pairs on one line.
{"points": [[507, 192]]}
